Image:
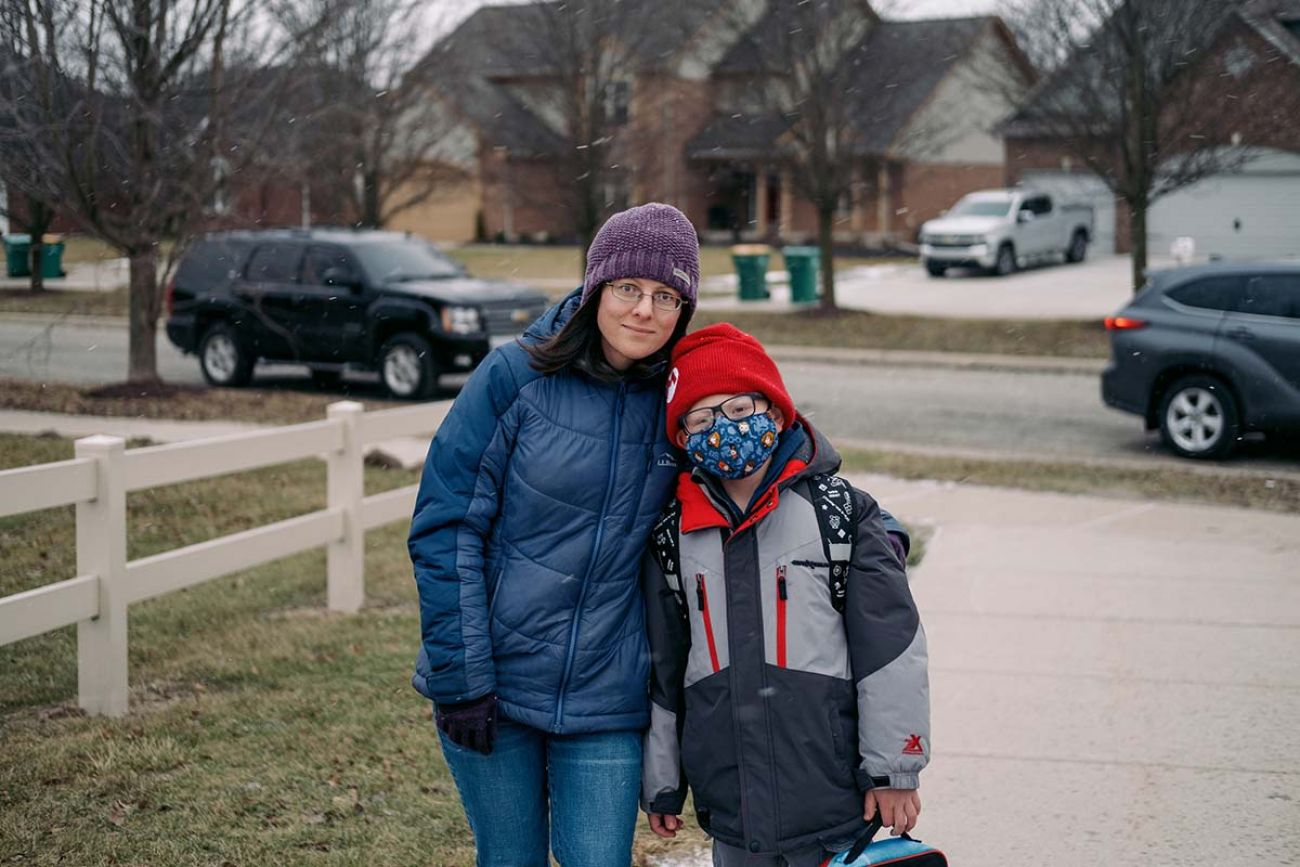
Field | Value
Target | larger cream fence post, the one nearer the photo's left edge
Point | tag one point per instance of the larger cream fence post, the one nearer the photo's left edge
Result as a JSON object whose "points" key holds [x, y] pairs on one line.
{"points": [[102, 683]]}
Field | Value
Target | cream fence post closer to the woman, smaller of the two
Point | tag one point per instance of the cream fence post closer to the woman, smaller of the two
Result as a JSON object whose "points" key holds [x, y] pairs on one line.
{"points": [[346, 489]]}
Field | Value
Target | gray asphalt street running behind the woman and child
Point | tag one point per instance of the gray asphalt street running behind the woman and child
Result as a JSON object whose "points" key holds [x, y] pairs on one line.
{"points": [[1004, 413]]}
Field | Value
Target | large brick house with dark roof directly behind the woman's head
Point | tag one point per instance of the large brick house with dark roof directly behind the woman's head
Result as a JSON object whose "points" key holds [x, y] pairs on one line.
{"points": [[700, 137]]}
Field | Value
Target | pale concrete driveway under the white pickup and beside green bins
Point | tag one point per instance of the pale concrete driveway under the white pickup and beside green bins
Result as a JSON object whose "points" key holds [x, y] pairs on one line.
{"points": [[1093, 291]]}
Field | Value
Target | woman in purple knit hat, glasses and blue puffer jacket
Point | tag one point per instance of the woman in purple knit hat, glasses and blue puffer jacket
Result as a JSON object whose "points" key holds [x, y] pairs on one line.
{"points": [[534, 511]]}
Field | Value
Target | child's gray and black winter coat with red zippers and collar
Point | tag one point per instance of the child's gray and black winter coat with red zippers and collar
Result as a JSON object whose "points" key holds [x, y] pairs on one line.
{"points": [[778, 710]]}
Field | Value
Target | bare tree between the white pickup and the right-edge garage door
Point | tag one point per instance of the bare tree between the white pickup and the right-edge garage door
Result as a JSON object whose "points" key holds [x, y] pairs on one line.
{"points": [[1129, 96]]}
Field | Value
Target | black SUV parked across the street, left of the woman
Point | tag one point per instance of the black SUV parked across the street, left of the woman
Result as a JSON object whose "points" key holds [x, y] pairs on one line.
{"points": [[335, 300]]}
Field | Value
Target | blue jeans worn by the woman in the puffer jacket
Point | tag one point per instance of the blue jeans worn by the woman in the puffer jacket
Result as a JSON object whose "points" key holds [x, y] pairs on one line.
{"points": [[580, 791]]}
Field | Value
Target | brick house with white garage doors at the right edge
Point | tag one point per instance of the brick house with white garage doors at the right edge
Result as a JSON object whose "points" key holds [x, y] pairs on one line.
{"points": [[1246, 83]]}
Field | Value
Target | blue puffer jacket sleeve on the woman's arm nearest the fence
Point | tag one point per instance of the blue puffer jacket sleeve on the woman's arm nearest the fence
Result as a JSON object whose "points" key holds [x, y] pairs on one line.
{"points": [[456, 508]]}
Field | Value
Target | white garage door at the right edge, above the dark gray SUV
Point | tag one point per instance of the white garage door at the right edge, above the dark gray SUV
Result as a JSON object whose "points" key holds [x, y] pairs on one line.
{"points": [[1254, 214]]}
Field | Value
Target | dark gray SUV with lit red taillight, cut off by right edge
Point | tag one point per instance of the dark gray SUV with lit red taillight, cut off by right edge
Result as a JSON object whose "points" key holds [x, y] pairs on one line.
{"points": [[1210, 353]]}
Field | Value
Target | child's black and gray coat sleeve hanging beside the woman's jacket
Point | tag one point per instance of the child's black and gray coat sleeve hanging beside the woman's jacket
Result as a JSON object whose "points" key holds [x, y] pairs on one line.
{"points": [[664, 784]]}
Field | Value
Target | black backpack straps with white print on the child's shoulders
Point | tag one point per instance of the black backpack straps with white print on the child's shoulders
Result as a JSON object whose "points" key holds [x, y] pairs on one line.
{"points": [[833, 502]]}
